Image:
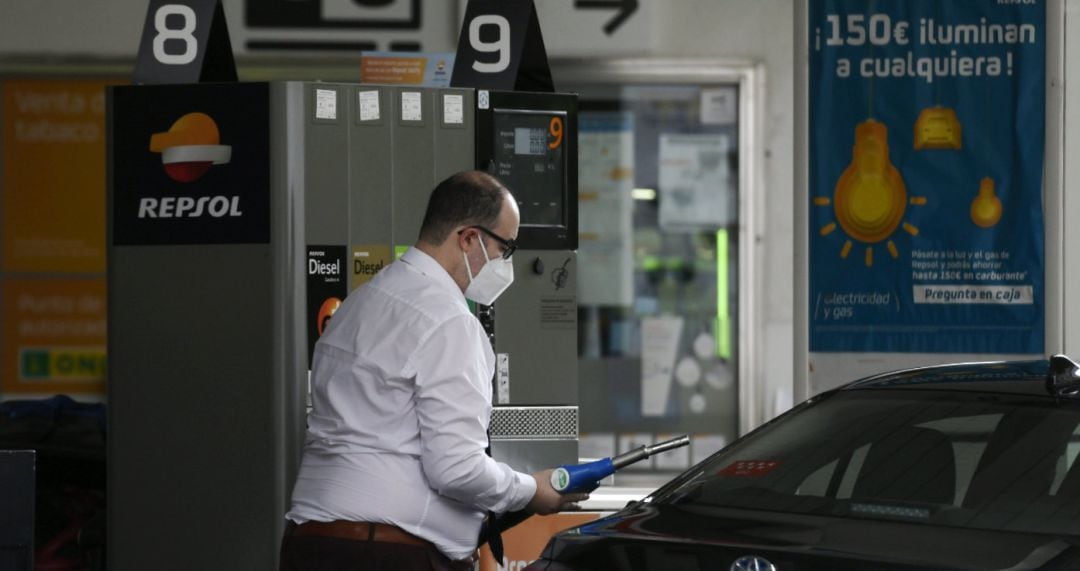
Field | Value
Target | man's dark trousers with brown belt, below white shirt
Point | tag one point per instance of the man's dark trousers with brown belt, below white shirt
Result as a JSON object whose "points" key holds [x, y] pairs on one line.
{"points": [[316, 553]]}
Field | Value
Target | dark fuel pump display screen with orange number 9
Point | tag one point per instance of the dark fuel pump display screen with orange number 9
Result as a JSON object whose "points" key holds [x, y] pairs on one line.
{"points": [[531, 160]]}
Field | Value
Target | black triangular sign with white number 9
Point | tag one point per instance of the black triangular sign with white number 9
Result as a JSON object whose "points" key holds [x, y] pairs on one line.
{"points": [[502, 48]]}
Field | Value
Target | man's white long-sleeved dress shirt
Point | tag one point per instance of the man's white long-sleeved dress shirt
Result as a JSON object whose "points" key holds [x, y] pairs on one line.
{"points": [[401, 388]]}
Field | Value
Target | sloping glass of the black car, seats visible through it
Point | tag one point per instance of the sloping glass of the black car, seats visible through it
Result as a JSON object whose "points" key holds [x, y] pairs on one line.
{"points": [[970, 460]]}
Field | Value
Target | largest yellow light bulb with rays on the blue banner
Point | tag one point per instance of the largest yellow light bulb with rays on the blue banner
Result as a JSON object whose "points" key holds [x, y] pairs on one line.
{"points": [[871, 199]]}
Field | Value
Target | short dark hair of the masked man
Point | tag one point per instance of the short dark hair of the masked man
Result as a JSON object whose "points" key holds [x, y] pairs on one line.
{"points": [[471, 198]]}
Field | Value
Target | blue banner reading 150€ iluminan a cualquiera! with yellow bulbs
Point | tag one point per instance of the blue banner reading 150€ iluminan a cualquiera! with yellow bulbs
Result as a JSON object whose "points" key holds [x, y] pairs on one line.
{"points": [[926, 160]]}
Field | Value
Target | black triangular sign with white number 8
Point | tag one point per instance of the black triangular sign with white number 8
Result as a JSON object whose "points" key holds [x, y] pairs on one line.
{"points": [[185, 42]]}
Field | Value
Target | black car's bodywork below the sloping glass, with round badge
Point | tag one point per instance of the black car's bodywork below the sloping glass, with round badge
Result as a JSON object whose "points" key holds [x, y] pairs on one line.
{"points": [[647, 536]]}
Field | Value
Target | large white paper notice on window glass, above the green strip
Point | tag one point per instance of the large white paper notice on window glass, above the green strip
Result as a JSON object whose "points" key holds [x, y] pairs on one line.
{"points": [[696, 186]]}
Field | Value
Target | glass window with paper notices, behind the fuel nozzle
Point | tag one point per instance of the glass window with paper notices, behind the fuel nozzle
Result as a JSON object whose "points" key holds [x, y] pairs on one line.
{"points": [[658, 259]]}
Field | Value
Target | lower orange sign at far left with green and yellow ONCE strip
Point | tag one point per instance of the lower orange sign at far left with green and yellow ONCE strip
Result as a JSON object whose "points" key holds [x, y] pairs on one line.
{"points": [[55, 337]]}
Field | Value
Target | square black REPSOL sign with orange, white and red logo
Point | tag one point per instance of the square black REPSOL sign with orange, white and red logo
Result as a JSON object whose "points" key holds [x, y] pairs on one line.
{"points": [[191, 165]]}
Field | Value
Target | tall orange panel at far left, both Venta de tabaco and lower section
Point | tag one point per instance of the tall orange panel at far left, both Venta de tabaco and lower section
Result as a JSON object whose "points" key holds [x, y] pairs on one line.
{"points": [[52, 220]]}
